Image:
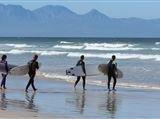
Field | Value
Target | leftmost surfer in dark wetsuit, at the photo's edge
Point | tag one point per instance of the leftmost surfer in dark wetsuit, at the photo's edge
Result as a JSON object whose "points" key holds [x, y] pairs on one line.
{"points": [[4, 75]]}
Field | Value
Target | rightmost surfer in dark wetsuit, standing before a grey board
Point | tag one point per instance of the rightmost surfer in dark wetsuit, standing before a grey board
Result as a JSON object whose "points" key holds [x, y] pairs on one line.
{"points": [[112, 72]]}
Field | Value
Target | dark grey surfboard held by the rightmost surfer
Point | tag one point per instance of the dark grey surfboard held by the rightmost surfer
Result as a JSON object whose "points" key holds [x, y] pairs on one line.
{"points": [[104, 69]]}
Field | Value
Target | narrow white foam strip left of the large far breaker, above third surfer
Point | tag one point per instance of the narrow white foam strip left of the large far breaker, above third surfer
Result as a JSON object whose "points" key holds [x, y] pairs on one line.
{"points": [[68, 46]]}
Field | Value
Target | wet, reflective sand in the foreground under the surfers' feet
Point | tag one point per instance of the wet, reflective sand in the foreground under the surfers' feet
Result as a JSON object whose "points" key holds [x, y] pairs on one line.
{"points": [[58, 99]]}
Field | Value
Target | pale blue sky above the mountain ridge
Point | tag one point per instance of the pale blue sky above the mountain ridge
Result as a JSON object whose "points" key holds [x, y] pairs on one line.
{"points": [[147, 9]]}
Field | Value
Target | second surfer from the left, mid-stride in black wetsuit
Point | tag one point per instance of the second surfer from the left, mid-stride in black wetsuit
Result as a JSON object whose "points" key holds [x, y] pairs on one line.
{"points": [[33, 67]]}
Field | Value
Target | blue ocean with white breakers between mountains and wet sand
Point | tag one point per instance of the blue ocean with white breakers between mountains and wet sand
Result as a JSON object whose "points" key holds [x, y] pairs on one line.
{"points": [[138, 58]]}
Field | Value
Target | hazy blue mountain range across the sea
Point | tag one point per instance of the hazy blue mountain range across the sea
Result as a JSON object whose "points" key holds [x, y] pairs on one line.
{"points": [[59, 21]]}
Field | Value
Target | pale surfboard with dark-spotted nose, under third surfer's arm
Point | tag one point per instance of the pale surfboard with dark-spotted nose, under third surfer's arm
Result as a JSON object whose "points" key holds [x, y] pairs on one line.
{"points": [[91, 70]]}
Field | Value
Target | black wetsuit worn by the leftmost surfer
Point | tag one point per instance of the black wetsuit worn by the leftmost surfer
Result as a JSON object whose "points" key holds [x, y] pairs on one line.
{"points": [[4, 75]]}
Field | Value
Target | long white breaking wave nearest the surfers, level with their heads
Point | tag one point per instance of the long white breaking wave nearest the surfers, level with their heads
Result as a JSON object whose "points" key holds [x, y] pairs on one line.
{"points": [[89, 55]]}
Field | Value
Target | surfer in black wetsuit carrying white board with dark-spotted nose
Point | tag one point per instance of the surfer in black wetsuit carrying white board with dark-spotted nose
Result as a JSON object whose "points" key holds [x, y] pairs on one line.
{"points": [[81, 63]]}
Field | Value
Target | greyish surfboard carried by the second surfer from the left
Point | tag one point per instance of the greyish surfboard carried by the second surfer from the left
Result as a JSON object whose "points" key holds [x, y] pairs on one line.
{"points": [[21, 70]]}
